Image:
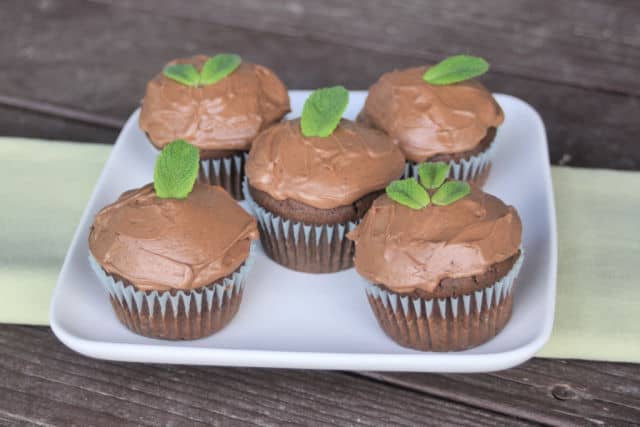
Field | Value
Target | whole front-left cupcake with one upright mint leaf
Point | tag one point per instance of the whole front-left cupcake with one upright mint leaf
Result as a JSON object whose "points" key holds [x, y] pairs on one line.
{"points": [[173, 256]]}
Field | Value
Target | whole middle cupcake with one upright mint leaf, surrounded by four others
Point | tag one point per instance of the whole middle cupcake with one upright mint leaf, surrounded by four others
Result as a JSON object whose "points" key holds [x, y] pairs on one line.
{"points": [[311, 180]]}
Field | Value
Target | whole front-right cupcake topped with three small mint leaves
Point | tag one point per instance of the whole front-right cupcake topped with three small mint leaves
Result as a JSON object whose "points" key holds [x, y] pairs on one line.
{"points": [[441, 258]]}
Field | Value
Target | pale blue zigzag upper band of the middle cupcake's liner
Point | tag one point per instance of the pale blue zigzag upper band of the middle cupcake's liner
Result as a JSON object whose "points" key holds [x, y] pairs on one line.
{"points": [[275, 224]]}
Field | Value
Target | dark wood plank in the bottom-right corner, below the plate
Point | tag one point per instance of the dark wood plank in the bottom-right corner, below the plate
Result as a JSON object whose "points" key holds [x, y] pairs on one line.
{"points": [[557, 392]]}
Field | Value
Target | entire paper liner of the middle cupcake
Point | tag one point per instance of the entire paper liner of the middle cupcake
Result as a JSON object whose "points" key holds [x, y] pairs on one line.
{"points": [[303, 247]]}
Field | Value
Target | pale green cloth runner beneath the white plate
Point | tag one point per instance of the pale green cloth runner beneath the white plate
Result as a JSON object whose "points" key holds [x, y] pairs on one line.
{"points": [[45, 187]]}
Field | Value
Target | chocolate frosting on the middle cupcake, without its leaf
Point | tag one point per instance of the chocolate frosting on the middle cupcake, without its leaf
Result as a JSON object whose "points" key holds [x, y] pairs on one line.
{"points": [[323, 172]]}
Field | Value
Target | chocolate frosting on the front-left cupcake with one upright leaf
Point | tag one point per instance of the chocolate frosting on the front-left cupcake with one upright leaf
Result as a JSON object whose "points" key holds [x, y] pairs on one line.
{"points": [[163, 244]]}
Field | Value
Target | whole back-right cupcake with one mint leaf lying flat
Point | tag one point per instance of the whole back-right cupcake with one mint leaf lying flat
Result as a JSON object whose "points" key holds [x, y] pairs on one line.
{"points": [[438, 114]]}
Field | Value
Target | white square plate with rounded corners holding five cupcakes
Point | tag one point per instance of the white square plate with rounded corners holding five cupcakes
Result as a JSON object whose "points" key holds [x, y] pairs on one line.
{"points": [[297, 320]]}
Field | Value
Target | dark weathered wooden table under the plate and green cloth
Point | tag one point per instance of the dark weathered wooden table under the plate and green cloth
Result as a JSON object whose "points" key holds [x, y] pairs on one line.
{"points": [[74, 70]]}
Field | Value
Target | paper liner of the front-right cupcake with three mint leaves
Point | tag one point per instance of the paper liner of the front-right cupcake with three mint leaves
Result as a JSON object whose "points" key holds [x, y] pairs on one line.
{"points": [[445, 324]]}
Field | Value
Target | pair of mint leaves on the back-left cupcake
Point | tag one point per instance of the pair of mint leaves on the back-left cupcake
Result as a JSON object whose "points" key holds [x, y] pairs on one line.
{"points": [[214, 69]]}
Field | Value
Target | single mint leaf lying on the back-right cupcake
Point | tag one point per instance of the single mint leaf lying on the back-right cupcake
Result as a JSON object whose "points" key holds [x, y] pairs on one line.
{"points": [[456, 69]]}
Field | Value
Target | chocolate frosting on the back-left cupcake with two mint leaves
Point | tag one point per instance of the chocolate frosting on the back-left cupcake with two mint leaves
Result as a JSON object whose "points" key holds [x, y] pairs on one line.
{"points": [[226, 115]]}
